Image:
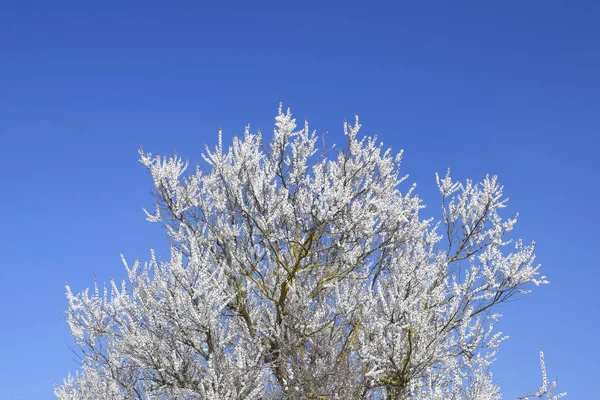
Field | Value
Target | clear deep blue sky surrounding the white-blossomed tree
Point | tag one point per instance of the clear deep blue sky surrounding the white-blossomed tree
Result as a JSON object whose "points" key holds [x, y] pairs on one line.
{"points": [[509, 88]]}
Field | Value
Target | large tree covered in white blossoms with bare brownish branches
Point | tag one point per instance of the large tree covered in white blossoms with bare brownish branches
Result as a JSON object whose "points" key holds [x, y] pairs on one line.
{"points": [[299, 273]]}
